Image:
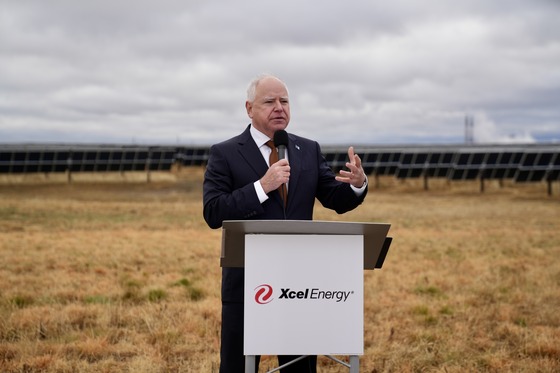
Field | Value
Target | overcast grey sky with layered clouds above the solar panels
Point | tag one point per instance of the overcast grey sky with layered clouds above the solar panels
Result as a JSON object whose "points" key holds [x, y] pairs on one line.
{"points": [[358, 72]]}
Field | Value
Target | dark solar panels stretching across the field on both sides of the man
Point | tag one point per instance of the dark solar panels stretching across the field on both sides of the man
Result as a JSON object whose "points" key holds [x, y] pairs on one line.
{"points": [[521, 163]]}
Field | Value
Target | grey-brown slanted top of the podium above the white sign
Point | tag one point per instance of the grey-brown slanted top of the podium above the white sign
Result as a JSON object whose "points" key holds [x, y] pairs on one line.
{"points": [[234, 231]]}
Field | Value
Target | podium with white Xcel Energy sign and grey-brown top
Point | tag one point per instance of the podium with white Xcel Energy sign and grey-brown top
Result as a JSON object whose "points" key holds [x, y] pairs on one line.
{"points": [[303, 284]]}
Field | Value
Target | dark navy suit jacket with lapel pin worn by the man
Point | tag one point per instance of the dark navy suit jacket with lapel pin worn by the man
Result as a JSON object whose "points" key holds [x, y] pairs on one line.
{"points": [[229, 194]]}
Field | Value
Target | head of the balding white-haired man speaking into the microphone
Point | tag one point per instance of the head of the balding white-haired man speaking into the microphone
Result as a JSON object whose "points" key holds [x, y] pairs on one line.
{"points": [[270, 111]]}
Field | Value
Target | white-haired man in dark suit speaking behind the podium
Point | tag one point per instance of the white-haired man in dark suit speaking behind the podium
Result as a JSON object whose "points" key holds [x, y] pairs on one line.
{"points": [[239, 184]]}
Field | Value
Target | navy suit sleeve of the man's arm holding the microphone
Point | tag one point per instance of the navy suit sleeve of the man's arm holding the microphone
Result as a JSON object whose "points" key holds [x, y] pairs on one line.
{"points": [[226, 194]]}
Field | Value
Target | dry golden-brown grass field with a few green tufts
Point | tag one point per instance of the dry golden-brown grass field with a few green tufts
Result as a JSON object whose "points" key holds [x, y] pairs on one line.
{"points": [[120, 275]]}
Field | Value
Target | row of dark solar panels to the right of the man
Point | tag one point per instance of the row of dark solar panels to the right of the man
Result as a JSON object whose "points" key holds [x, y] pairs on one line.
{"points": [[521, 165]]}
